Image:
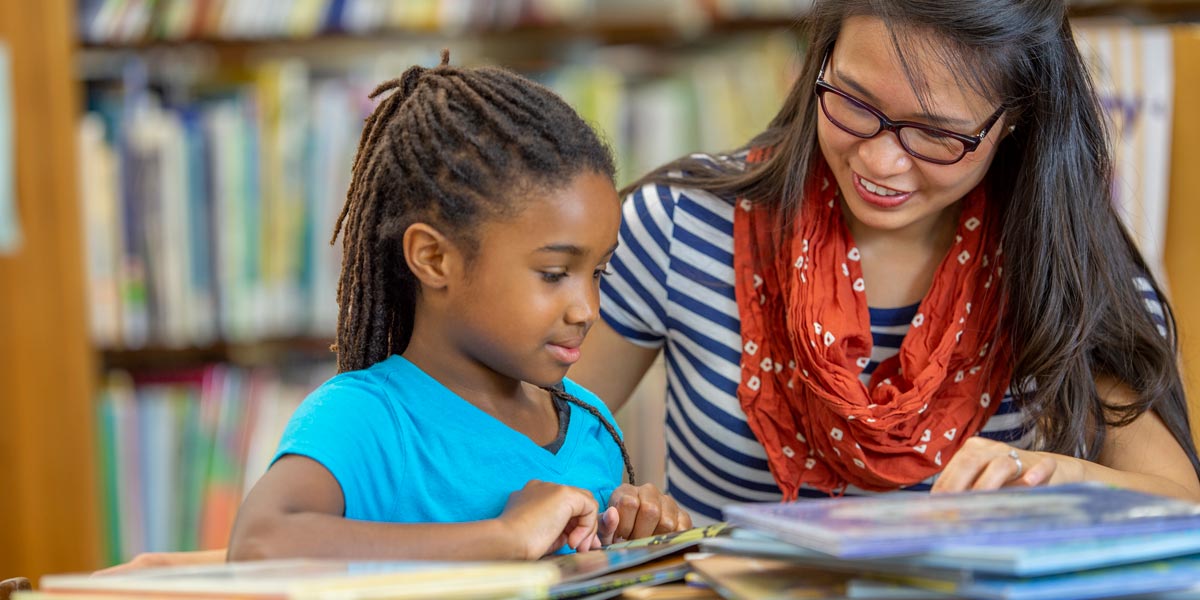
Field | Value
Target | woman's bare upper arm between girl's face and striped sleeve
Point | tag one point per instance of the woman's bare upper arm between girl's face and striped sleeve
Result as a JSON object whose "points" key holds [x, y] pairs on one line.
{"points": [[610, 365]]}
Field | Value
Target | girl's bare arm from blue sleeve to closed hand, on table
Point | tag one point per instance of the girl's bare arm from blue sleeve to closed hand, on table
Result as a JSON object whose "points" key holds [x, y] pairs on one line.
{"points": [[296, 511]]}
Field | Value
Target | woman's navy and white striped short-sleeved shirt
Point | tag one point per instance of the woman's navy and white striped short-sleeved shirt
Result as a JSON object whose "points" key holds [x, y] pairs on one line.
{"points": [[671, 287]]}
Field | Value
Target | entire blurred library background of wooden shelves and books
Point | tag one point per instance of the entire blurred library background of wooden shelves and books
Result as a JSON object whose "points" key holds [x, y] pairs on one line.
{"points": [[170, 172]]}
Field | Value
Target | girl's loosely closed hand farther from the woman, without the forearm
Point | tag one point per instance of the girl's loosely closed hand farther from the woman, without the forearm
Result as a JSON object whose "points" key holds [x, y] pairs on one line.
{"points": [[543, 517]]}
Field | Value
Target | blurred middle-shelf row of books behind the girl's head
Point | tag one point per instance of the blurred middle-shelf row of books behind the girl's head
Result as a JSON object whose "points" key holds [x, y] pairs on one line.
{"points": [[209, 205]]}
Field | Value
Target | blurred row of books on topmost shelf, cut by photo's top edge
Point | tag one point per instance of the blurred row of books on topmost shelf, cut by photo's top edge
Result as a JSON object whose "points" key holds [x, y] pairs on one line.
{"points": [[148, 21]]}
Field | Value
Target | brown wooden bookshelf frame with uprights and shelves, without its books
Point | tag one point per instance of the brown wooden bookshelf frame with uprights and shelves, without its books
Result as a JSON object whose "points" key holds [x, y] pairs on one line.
{"points": [[57, 477]]}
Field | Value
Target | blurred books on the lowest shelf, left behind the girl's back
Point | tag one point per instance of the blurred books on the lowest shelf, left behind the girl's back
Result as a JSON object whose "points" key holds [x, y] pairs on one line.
{"points": [[179, 449]]}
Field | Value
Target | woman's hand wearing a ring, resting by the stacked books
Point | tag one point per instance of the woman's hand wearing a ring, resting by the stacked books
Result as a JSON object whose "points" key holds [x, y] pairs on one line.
{"points": [[985, 464]]}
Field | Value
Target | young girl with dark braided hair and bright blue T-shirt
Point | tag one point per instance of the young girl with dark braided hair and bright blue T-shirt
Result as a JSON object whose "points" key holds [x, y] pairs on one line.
{"points": [[481, 218]]}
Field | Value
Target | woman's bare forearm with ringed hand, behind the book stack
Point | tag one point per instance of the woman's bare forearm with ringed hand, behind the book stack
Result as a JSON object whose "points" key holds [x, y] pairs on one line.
{"points": [[1142, 455]]}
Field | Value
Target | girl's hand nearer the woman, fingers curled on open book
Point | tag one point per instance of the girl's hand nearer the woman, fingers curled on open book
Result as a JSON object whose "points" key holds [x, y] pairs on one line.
{"points": [[643, 511]]}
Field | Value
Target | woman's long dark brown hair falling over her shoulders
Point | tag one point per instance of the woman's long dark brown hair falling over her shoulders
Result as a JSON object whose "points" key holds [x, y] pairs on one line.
{"points": [[1073, 311]]}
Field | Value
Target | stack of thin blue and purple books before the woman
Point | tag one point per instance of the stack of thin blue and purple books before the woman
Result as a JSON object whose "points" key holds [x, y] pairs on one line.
{"points": [[1079, 541]]}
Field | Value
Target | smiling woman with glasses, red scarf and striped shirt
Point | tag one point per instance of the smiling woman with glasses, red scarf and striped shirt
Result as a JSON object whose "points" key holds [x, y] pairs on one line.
{"points": [[914, 280]]}
